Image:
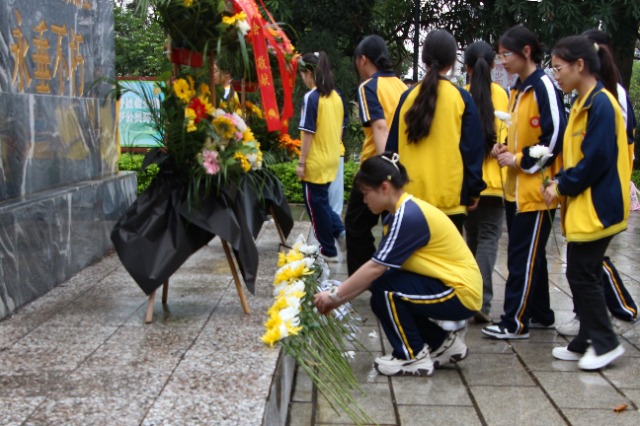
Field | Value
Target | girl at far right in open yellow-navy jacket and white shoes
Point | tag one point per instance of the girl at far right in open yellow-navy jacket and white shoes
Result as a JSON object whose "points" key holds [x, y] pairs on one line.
{"points": [[594, 192]]}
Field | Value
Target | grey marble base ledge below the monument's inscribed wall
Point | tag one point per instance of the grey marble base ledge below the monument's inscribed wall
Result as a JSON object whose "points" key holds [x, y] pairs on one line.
{"points": [[47, 237]]}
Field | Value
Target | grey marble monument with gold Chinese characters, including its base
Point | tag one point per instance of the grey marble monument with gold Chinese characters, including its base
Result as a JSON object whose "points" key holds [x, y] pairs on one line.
{"points": [[60, 190]]}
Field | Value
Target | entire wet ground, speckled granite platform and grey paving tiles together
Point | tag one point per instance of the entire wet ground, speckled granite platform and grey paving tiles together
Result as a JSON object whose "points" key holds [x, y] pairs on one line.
{"points": [[83, 355]]}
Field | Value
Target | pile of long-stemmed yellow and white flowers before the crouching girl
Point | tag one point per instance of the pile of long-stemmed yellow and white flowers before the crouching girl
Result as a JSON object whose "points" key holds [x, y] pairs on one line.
{"points": [[315, 341]]}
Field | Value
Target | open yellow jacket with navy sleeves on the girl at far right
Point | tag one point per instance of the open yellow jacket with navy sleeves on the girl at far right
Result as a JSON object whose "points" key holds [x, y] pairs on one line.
{"points": [[596, 169]]}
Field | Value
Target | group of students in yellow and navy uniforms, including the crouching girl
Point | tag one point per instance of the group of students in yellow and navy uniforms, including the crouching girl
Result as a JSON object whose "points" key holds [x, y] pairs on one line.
{"points": [[441, 163]]}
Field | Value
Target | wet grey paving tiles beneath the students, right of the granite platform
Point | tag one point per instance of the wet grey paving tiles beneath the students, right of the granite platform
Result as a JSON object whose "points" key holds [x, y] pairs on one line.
{"points": [[501, 382]]}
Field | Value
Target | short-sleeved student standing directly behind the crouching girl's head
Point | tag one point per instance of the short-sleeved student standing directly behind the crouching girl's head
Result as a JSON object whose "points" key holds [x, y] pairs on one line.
{"points": [[378, 96]]}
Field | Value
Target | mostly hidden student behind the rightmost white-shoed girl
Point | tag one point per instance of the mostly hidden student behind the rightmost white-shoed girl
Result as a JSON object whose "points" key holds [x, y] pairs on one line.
{"points": [[620, 303]]}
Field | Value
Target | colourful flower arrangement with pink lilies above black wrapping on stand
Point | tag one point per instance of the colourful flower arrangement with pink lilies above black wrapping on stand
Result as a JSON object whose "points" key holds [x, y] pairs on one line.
{"points": [[204, 145]]}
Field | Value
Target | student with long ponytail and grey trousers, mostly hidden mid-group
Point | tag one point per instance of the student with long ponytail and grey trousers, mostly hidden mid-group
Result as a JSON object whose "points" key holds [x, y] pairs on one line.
{"points": [[483, 226]]}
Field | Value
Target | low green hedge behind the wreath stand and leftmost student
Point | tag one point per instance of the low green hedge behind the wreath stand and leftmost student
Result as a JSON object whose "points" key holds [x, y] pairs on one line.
{"points": [[286, 172]]}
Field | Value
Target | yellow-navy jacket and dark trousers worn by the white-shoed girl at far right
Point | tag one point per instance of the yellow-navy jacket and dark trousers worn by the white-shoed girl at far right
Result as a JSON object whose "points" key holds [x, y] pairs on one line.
{"points": [[595, 185]]}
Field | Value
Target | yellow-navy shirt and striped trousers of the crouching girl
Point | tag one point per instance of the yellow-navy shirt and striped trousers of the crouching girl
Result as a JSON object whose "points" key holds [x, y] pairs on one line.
{"points": [[432, 274]]}
